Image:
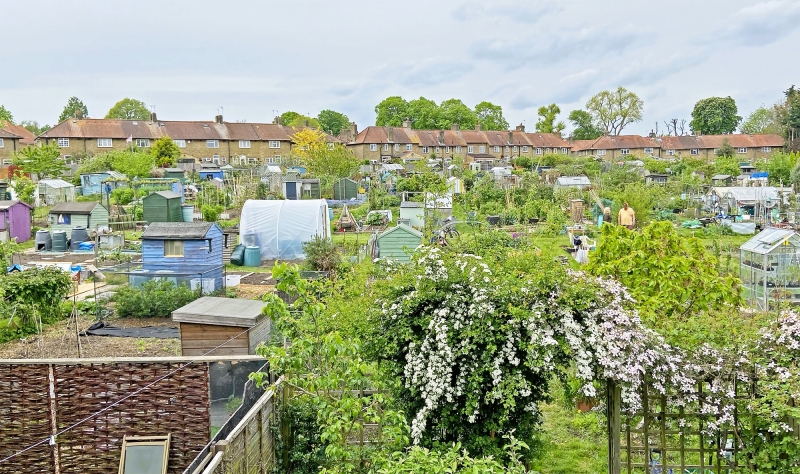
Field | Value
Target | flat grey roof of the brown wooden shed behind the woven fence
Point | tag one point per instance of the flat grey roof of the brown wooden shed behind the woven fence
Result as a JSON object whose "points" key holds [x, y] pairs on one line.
{"points": [[221, 312]]}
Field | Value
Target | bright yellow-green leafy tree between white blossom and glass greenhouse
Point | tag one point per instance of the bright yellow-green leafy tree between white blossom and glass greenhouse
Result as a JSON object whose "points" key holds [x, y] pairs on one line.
{"points": [[670, 276]]}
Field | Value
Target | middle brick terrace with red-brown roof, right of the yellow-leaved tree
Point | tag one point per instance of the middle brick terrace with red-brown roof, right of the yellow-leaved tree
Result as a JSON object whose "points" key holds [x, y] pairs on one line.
{"points": [[385, 144]]}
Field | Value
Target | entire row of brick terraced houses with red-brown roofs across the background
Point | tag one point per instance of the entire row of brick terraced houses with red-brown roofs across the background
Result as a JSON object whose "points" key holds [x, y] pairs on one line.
{"points": [[219, 142]]}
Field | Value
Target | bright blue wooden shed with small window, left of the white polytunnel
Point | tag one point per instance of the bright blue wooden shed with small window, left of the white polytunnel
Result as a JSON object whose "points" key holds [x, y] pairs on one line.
{"points": [[183, 252]]}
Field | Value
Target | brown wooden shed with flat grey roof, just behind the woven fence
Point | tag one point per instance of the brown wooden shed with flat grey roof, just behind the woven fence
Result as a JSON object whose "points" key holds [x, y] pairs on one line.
{"points": [[209, 322]]}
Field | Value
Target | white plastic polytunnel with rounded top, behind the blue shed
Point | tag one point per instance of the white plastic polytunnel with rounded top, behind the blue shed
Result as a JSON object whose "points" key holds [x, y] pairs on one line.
{"points": [[279, 227]]}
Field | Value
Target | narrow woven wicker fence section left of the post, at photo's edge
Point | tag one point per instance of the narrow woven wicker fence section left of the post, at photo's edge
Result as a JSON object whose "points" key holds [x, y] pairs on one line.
{"points": [[24, 418]]}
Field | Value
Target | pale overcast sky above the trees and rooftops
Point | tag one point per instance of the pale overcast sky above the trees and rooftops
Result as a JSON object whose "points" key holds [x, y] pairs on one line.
{"points": [[190, 57]]}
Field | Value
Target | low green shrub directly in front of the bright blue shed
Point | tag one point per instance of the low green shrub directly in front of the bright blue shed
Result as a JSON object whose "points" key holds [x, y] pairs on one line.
{"points": [[155, 299]]}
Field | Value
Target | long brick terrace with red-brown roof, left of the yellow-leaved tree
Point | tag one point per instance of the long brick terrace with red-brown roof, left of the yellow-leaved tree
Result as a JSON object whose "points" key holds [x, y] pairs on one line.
{"points": [[215, 141]]}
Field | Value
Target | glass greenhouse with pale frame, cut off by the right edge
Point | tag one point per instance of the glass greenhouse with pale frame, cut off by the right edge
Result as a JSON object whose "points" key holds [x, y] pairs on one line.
{"points": [[769, 268]]}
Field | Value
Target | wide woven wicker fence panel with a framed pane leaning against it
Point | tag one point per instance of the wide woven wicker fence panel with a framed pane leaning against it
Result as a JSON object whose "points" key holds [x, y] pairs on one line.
{"points": [[177, 405]]}
